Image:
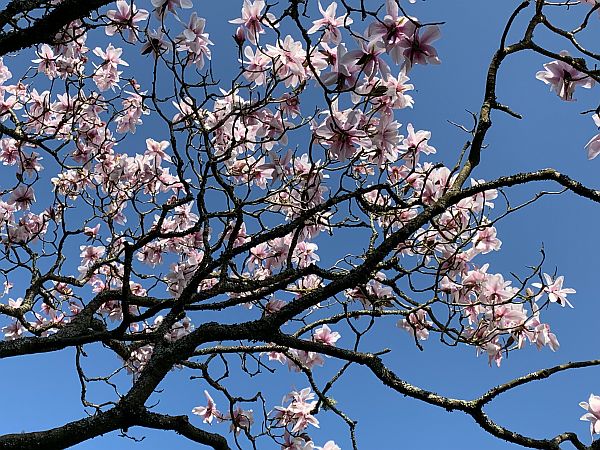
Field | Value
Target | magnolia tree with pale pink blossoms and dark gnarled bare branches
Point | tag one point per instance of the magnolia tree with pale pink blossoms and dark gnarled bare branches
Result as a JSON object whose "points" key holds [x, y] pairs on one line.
{"points": [[192, 221]]}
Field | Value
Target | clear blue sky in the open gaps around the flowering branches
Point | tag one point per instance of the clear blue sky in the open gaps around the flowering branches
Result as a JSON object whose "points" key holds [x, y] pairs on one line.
{"points": [[42, 391]]}
